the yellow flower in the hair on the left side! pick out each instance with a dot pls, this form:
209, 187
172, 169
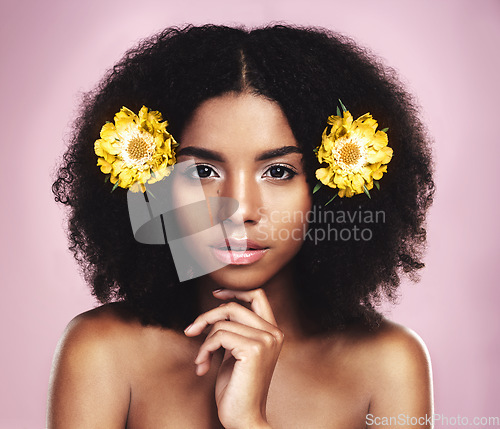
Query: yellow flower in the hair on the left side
136, 149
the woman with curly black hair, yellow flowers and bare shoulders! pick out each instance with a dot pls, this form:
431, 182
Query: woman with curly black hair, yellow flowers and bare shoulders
312, 246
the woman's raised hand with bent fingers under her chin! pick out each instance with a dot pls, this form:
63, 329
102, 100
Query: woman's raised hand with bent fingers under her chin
252, 343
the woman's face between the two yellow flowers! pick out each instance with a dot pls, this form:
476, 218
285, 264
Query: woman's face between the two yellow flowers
243, 148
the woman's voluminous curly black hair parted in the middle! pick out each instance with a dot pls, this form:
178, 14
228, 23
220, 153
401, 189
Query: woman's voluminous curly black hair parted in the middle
306, 71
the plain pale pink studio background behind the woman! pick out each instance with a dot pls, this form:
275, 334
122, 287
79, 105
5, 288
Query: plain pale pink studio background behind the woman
446, 51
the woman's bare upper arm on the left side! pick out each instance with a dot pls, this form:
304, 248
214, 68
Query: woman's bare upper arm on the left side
88, 387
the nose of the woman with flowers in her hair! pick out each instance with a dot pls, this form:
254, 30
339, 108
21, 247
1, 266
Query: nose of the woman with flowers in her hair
243, 188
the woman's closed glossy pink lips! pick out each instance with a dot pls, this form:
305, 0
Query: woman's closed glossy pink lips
238, 251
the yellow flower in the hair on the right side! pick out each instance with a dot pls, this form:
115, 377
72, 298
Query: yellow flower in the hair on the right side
355, 152
